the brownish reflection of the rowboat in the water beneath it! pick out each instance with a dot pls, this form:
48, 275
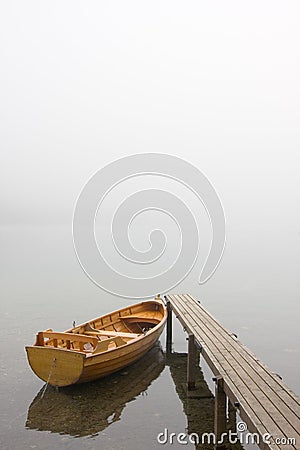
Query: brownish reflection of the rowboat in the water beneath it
87, 409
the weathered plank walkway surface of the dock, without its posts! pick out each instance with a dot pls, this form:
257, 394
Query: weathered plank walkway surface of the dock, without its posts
266, 404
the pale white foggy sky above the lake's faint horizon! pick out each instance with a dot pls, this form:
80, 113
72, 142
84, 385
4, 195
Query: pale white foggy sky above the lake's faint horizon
84, 83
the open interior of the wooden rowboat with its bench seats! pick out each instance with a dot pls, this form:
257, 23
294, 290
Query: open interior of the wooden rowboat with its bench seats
107, 332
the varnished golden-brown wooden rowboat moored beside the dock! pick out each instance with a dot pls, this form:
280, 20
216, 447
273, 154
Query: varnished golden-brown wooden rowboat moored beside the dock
99, 347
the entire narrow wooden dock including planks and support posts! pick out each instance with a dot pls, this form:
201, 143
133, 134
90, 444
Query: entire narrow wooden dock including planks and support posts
265, 404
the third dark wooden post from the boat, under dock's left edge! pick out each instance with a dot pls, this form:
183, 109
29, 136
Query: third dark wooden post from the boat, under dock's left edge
220, 410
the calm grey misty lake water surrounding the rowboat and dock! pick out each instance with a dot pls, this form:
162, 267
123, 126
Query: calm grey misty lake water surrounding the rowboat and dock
43, 286
